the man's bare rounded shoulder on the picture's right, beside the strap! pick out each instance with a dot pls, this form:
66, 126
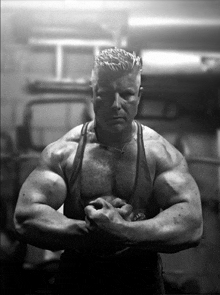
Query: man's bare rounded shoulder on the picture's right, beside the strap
162, 153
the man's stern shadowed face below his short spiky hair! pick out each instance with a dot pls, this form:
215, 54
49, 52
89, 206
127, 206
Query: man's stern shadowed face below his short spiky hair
116, 100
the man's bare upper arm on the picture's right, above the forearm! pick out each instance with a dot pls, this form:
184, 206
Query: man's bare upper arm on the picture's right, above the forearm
173, 183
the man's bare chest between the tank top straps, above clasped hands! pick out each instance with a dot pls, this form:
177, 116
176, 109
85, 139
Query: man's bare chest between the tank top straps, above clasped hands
108, 172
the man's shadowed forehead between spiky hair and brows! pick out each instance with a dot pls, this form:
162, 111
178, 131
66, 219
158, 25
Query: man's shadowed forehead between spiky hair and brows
123, 81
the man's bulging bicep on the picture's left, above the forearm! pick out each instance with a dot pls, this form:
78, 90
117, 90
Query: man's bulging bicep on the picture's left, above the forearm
43, 186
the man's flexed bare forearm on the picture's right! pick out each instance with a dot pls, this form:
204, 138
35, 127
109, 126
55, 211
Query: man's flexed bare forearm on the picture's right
170, 231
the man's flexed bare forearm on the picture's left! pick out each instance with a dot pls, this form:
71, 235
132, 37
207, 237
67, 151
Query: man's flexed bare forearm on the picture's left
46, 228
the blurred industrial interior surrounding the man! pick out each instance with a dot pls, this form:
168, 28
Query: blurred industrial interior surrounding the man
47, 51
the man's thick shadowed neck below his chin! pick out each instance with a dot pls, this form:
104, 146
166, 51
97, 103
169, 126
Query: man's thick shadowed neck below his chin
116, 139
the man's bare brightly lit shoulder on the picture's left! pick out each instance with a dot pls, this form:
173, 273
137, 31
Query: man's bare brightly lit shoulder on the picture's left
59, 152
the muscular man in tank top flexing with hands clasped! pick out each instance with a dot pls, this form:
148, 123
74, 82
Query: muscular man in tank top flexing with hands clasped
127, 193
